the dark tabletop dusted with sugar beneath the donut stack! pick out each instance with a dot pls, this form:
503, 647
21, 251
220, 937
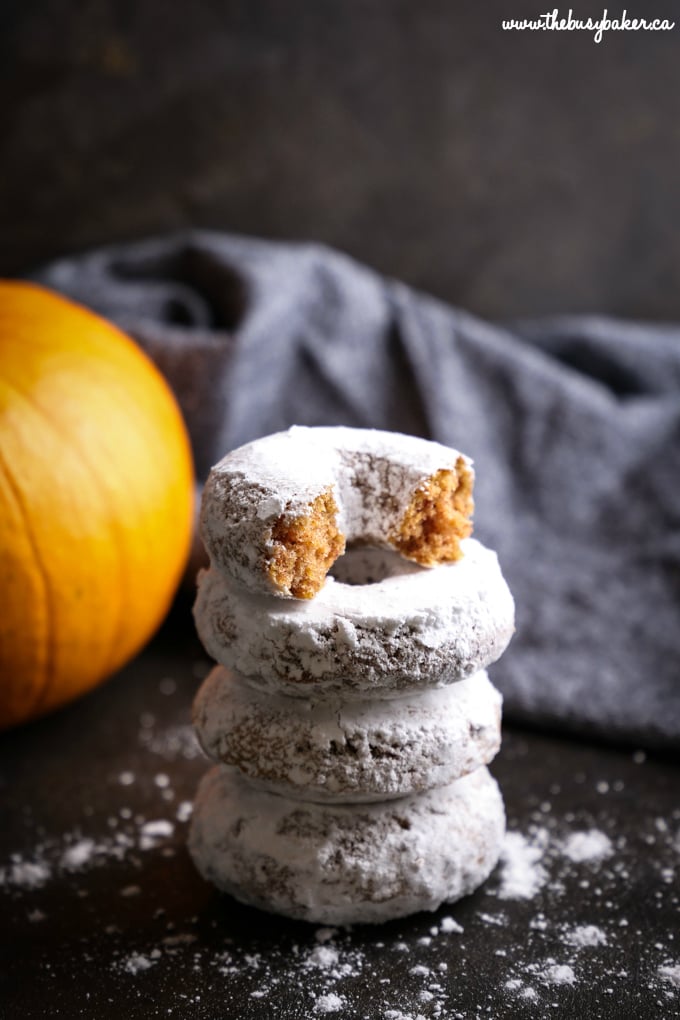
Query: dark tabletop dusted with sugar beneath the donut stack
103, 915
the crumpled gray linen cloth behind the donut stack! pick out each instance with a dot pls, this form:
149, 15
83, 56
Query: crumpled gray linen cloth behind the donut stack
573, 424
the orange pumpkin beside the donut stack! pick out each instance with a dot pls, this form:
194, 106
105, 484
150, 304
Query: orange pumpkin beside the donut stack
96, 500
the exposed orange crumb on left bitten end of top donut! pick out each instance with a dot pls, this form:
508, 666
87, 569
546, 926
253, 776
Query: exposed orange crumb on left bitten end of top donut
306, 547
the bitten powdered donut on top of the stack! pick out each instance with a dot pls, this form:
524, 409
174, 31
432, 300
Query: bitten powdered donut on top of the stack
277, 514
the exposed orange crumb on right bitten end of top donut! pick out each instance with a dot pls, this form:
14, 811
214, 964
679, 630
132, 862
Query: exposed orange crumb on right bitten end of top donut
438, 518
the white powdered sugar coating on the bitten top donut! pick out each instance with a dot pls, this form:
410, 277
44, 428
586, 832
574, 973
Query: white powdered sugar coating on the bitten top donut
373, 476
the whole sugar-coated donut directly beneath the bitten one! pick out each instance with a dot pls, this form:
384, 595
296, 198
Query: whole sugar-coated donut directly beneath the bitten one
410, 629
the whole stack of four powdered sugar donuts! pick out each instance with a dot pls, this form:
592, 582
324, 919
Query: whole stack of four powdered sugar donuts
352, 618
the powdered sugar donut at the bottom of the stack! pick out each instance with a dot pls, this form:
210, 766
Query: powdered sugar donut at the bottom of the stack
347, 864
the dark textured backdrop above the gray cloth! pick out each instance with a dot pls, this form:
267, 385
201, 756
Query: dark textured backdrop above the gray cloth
509, 174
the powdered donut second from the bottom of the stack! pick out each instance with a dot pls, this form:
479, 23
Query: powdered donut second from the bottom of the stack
349, 752
